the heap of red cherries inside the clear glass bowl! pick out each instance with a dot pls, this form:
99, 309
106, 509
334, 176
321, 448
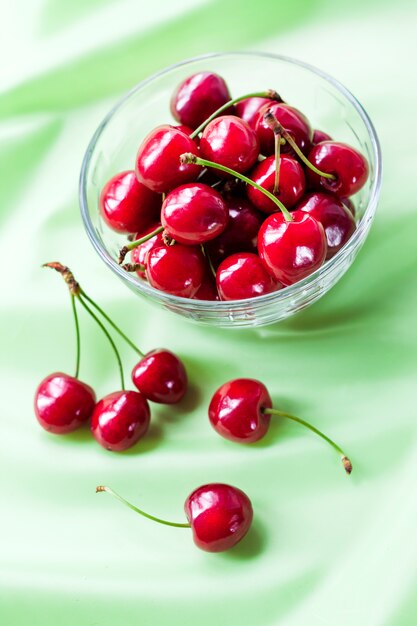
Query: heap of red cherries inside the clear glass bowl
239, 199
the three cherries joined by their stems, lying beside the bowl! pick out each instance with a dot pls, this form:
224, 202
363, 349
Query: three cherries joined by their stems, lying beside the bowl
63, 403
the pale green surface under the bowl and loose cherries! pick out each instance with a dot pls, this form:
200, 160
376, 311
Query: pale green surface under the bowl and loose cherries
325, 549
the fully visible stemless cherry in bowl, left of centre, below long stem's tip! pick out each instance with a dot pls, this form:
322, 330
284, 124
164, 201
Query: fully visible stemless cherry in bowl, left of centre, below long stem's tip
194, 213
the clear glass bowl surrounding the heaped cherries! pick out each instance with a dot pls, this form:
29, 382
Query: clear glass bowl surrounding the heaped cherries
329, 107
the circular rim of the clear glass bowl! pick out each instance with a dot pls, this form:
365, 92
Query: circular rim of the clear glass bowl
276, 296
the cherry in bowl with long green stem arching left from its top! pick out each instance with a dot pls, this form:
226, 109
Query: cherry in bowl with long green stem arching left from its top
292, 250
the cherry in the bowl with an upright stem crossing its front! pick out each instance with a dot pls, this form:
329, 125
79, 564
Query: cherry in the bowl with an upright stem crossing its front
291, 183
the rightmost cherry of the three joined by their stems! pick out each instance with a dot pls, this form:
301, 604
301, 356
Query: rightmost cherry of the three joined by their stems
160, 376
